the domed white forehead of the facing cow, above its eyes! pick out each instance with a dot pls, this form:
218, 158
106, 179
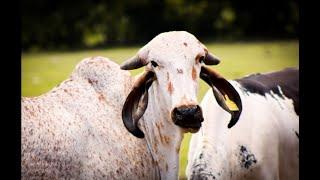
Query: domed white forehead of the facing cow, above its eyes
175, 46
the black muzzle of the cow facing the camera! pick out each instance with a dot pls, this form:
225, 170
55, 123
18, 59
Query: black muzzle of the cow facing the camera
187, 116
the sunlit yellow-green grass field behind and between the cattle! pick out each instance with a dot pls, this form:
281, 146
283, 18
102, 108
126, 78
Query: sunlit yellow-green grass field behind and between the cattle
43, 71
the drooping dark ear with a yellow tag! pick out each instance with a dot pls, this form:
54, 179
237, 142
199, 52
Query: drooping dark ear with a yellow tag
225, 94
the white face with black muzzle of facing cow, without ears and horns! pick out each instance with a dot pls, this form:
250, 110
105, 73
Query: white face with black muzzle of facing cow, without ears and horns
176, 62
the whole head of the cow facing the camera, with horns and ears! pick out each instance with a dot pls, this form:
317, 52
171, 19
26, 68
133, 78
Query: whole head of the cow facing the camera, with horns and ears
174, 62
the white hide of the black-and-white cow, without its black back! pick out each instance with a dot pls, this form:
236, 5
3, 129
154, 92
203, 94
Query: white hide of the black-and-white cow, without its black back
267, 129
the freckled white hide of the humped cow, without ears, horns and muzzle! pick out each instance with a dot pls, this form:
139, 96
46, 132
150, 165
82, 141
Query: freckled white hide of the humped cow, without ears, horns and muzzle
75, 131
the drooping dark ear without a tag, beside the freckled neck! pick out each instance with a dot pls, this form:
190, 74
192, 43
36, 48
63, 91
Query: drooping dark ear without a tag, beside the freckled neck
136, 103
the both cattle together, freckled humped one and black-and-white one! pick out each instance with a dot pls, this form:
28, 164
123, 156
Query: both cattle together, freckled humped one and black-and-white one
102, 123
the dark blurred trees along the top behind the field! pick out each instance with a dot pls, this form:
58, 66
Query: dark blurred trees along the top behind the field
57, 24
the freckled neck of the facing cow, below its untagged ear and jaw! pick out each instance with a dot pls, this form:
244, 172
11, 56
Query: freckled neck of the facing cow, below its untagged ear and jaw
162, 135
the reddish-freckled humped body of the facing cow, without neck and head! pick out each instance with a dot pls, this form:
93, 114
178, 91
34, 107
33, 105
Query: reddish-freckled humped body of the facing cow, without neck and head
70, 133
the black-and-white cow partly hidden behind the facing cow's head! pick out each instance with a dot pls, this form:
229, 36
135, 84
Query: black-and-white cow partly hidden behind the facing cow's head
264, 142
